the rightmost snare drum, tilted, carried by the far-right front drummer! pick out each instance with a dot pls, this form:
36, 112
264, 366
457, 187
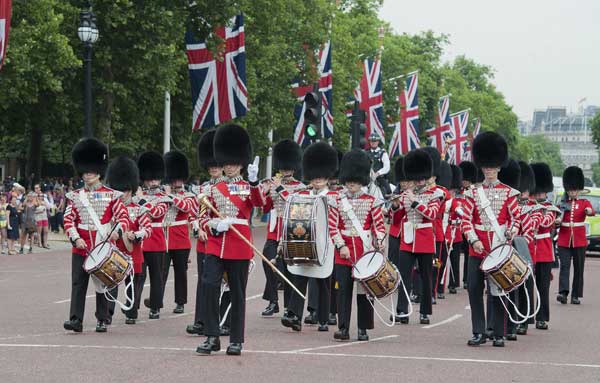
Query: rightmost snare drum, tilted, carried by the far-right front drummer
506, 267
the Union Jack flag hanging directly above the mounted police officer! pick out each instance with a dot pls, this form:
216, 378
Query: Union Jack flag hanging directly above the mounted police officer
368, 93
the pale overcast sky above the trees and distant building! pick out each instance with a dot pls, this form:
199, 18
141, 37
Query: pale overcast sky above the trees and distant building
544, 53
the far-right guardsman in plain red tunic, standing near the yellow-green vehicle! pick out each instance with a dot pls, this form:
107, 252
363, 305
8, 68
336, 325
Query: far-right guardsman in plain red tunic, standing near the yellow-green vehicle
572, 240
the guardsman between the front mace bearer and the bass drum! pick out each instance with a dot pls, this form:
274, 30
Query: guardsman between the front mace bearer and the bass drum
287, 159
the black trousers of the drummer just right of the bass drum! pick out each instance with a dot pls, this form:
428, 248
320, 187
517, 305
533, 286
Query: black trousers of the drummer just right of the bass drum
364, 309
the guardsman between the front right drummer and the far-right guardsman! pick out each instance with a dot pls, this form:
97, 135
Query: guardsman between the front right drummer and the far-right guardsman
544, 248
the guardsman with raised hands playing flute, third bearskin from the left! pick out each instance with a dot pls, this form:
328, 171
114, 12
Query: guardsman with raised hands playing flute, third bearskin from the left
152, 198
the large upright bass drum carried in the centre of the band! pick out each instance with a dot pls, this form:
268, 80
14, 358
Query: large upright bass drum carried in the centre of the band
305, 230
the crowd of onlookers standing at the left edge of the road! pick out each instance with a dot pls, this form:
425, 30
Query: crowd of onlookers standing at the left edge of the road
28, 214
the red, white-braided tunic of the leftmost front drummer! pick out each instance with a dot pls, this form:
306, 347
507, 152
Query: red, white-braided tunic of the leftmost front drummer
107, 205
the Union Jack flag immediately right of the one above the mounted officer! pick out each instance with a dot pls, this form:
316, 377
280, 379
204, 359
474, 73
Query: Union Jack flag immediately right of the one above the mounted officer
406, 131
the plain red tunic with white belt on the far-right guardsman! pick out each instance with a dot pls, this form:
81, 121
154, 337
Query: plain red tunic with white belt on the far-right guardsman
572, 229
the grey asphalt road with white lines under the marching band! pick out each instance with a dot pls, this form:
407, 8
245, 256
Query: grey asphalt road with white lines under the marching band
35, 289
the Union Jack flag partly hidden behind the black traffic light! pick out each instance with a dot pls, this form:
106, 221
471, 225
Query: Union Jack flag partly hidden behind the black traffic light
326, 89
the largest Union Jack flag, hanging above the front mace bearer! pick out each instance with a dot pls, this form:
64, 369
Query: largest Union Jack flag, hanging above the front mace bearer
219, 91
